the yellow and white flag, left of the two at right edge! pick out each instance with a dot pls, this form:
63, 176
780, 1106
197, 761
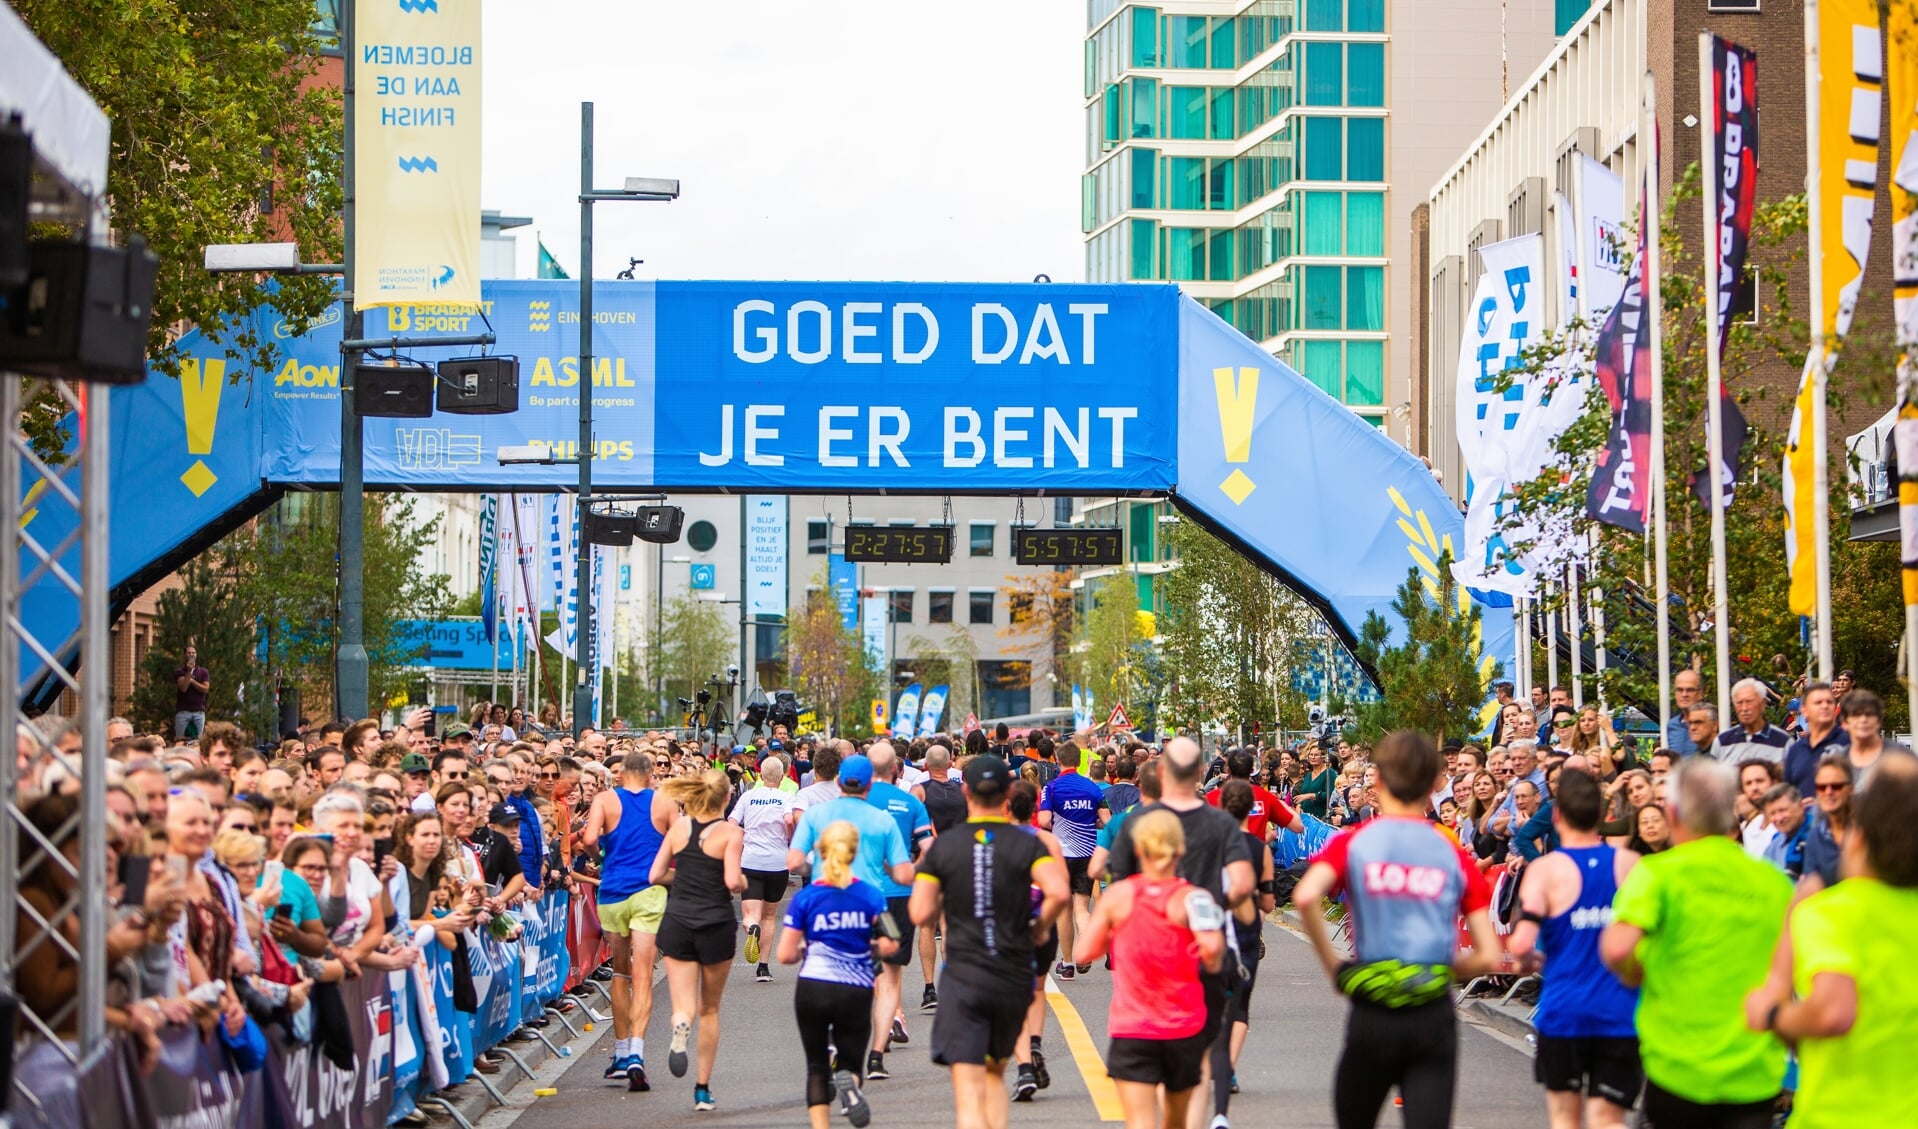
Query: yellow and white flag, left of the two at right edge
1850, 72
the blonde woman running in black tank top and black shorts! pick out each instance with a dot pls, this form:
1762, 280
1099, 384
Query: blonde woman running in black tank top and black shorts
699, 933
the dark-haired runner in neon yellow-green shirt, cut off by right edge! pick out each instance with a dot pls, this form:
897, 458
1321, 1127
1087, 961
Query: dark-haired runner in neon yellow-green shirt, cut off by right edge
1848, 961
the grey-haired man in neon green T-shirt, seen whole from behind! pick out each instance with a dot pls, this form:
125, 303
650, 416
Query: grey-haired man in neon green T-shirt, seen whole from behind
1696, 927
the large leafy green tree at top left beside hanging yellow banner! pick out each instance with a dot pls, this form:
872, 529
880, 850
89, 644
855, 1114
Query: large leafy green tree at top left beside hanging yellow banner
218, 137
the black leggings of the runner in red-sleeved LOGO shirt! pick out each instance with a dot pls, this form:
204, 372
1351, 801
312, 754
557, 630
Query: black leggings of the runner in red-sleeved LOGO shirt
1415, 1049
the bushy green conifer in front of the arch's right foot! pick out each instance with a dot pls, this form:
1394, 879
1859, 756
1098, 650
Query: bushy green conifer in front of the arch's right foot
1434, 680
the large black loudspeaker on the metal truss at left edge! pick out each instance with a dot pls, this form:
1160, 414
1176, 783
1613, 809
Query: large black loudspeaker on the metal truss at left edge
82, 313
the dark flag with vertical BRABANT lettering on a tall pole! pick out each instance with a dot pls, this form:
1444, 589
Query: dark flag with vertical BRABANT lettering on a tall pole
1735, 179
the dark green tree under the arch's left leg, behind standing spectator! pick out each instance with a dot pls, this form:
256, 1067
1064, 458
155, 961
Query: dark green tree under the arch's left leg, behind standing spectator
204, 612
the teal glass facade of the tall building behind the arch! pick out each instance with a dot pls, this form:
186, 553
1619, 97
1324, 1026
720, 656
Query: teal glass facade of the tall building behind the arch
1246, 154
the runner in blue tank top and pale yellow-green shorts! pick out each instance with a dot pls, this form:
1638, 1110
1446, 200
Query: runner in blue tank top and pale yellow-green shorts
626, 825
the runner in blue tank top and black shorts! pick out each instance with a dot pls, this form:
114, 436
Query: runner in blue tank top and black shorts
1587, 1042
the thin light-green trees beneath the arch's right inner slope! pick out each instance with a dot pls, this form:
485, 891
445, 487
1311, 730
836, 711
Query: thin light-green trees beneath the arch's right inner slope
1234, 639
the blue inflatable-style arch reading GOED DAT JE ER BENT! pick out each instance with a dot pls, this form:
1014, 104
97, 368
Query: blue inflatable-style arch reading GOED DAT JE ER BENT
807, 388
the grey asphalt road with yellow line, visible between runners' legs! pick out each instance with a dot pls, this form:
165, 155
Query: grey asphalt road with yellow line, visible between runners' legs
760, 1074
